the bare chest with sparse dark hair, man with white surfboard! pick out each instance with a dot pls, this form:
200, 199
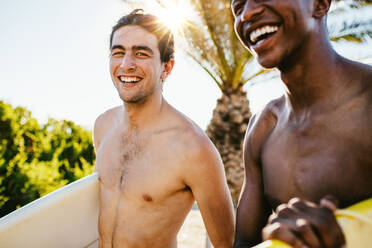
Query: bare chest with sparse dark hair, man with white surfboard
138, 169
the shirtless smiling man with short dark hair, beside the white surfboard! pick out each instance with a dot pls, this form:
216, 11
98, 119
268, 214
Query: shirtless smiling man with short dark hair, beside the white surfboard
153, 162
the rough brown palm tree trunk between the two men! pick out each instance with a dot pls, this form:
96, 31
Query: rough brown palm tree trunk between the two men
226, 130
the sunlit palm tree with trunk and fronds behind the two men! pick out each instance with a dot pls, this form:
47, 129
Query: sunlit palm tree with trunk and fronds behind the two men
208, 37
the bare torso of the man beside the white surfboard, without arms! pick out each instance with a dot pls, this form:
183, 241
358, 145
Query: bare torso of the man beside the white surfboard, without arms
143, 198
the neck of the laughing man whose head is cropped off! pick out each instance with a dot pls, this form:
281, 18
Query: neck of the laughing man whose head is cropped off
312, 76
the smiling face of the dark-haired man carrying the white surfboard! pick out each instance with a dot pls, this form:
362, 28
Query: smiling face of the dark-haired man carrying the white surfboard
135, 65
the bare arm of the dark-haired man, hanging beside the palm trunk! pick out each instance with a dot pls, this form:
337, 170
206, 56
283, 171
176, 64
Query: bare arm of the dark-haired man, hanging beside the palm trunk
206, 178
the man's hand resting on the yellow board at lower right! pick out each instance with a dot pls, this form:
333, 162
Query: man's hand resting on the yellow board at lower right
305, 224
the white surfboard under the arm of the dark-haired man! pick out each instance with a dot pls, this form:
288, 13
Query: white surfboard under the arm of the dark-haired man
67, 217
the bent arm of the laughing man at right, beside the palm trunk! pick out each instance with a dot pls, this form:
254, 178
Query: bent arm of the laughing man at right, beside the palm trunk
253, 210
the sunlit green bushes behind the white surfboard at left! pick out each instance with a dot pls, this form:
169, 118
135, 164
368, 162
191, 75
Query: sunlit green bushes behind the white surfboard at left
35, 160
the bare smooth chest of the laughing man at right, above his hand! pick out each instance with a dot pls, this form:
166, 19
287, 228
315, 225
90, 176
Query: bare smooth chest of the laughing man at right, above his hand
325, 156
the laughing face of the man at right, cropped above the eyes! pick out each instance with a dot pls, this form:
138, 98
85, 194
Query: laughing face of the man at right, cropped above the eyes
273, 29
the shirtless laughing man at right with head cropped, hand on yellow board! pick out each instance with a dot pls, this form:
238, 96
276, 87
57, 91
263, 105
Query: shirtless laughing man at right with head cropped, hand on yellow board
314, 141
